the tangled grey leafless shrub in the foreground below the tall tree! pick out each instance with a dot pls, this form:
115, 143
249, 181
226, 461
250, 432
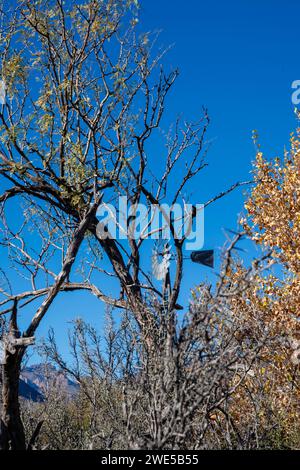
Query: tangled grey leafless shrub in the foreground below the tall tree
165, 395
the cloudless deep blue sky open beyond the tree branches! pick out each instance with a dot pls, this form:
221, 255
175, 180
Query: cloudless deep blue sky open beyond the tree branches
237, 58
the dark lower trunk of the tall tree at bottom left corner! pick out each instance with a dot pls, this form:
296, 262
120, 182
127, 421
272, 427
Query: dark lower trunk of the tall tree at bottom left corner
12, 429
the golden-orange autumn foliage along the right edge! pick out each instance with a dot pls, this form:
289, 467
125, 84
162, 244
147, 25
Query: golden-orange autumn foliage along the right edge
271, 301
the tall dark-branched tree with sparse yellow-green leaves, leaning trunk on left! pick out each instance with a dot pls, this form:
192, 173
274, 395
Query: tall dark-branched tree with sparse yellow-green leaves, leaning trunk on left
85, 96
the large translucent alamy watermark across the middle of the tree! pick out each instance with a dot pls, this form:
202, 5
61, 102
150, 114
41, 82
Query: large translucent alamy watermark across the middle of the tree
141, 221
